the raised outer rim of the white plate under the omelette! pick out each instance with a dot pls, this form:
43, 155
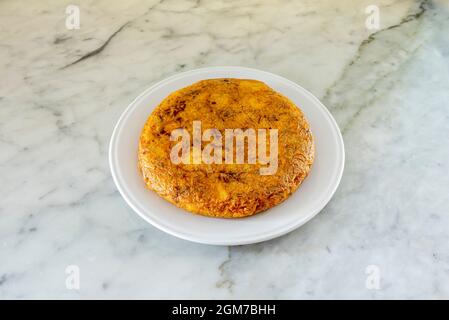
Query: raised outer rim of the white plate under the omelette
189, 237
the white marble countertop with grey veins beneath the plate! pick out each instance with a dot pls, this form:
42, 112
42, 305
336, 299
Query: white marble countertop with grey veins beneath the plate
385, 234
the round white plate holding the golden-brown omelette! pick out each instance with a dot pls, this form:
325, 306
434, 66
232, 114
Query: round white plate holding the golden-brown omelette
304, 204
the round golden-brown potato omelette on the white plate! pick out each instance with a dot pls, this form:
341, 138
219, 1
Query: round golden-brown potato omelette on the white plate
224, 188
